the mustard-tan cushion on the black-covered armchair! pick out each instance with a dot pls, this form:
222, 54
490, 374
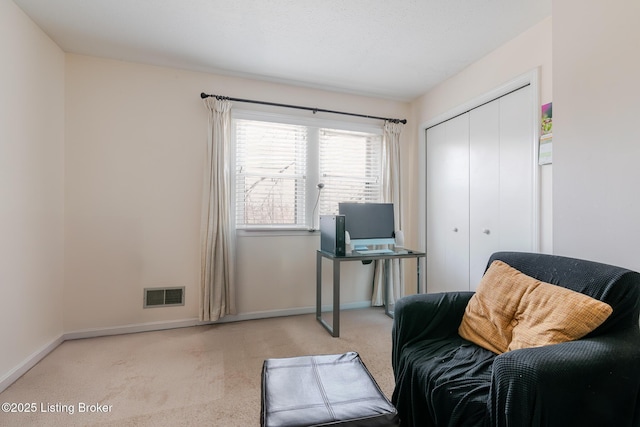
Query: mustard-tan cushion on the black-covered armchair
511, 310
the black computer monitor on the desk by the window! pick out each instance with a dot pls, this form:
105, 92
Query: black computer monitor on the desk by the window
369, 223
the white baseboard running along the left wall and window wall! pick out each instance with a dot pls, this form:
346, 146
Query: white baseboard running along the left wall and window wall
37, 356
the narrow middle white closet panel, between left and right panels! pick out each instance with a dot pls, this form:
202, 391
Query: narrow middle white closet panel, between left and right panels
484, 181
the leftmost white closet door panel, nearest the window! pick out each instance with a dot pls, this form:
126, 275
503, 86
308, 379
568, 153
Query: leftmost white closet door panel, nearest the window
448, 206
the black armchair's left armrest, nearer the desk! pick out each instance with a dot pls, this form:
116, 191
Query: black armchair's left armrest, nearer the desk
426, 316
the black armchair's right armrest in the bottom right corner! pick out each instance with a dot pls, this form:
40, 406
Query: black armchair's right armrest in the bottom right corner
575, 383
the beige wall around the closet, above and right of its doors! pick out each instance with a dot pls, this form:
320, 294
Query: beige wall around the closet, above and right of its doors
529, 51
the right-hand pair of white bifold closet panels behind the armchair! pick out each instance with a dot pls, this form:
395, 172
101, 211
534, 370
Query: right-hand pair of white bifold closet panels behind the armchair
501, 179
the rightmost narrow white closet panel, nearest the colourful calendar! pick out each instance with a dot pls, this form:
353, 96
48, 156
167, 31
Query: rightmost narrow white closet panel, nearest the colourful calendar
516, 163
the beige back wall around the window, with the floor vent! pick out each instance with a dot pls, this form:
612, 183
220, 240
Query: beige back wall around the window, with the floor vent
136, 137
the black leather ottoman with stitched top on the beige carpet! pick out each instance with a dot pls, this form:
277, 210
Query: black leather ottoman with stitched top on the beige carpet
335, 390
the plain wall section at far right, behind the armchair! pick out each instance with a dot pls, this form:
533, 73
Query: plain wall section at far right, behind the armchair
596, 132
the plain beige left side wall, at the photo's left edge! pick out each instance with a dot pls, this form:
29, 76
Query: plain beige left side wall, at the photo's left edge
31, 190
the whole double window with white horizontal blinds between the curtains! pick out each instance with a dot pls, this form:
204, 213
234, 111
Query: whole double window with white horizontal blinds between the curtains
280, 160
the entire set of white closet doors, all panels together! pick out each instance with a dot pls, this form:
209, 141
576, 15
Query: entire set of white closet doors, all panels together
480, 190
